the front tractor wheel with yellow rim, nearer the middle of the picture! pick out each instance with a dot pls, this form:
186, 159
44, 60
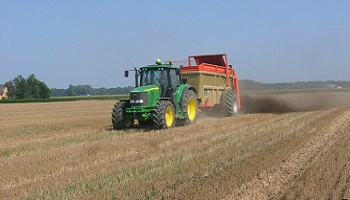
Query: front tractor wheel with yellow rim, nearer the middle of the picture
164, 115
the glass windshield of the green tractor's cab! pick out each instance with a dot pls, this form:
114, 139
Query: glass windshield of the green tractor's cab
152, 76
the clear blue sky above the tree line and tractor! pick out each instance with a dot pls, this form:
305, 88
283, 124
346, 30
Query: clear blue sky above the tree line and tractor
92, 42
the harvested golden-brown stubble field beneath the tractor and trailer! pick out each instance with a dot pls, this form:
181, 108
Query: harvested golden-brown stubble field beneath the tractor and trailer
288, 146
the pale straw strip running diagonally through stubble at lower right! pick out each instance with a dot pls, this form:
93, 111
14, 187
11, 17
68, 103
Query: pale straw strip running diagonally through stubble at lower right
275, 183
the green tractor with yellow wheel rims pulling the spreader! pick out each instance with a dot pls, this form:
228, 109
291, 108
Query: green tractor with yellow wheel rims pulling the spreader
161, 99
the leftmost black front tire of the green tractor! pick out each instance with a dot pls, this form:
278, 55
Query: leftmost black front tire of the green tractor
119, 120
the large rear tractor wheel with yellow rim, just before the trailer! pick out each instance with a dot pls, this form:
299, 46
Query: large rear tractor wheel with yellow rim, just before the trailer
189, 106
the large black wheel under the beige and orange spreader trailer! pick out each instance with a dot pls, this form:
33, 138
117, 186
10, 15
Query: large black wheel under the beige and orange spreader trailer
229, 103
